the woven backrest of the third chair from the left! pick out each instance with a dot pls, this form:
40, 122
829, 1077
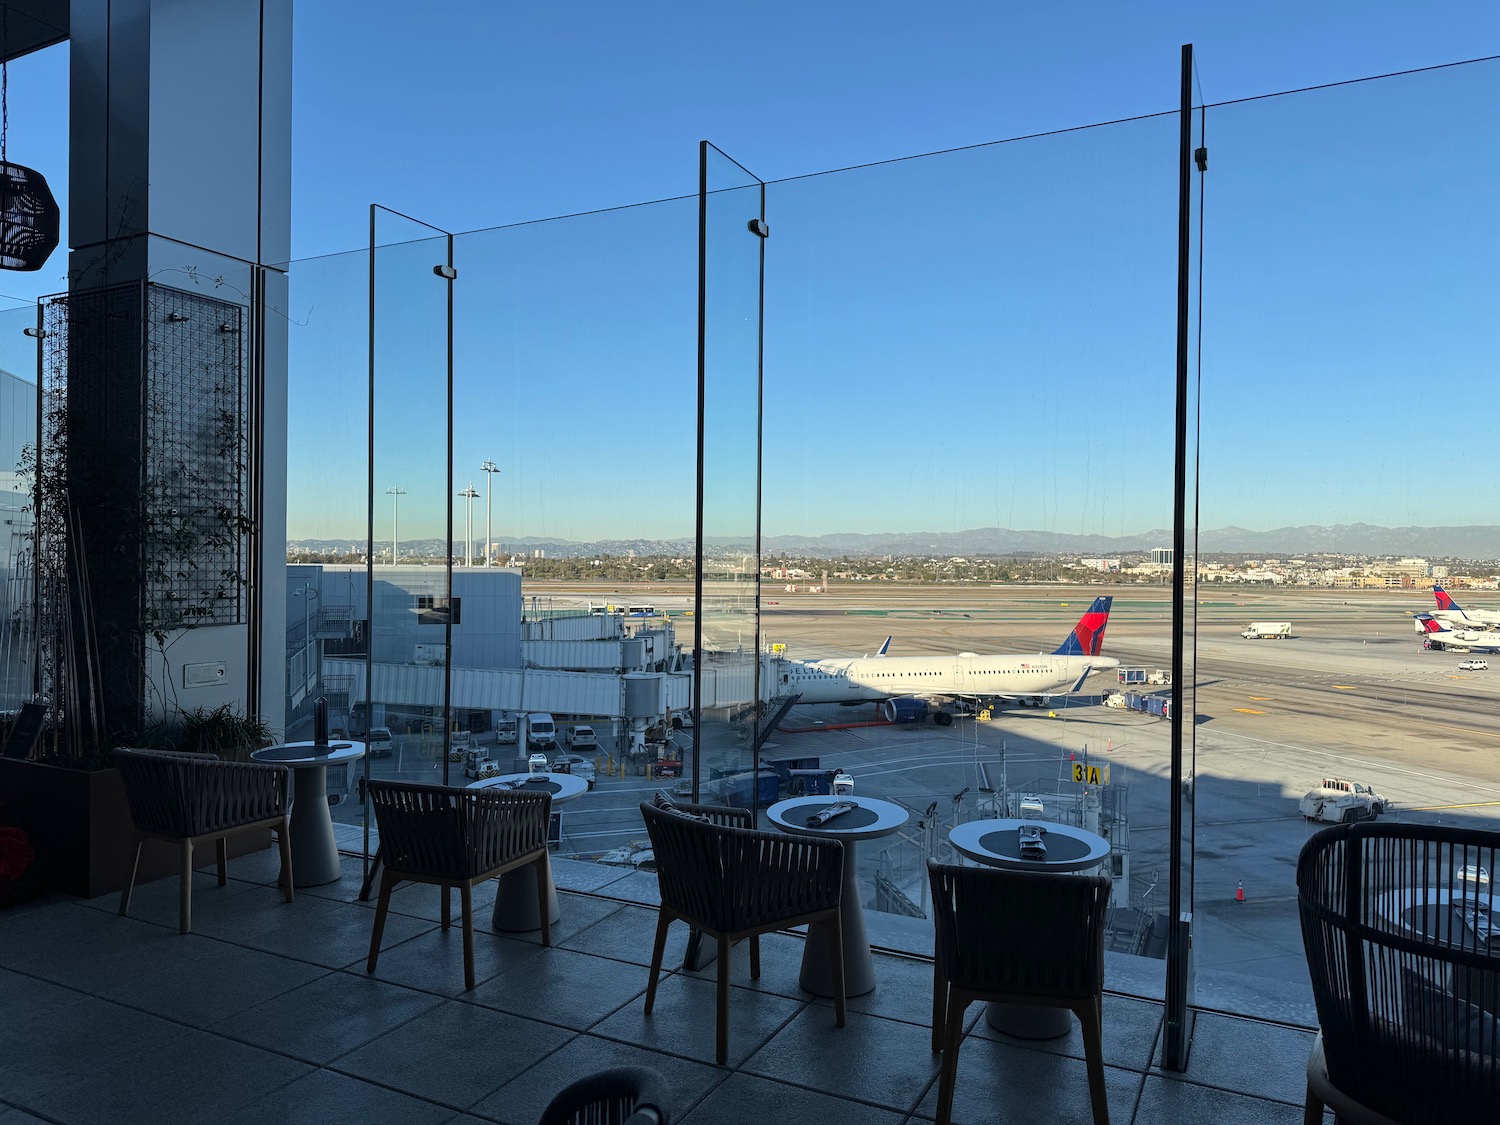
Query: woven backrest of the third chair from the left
739, 878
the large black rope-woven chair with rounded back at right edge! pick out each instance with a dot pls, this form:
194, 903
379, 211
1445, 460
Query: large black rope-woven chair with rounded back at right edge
1405, 959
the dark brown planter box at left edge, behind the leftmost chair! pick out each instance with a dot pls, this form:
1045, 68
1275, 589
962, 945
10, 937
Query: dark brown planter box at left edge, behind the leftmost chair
82, 833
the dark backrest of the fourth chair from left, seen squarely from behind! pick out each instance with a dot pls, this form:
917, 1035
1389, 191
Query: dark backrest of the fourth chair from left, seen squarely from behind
1021, 932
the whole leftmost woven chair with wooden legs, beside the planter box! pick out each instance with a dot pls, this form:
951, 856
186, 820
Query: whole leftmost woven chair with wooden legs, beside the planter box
188, 800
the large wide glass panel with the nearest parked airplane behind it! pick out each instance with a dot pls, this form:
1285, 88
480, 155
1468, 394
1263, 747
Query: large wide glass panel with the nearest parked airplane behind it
970, 439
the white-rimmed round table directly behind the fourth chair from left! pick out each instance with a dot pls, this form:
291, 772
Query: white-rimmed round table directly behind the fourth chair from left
997, 844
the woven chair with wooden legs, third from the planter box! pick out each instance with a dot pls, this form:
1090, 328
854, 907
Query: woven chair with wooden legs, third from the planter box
739, 883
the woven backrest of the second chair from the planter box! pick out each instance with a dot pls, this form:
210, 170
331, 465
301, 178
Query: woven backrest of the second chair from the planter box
457, 833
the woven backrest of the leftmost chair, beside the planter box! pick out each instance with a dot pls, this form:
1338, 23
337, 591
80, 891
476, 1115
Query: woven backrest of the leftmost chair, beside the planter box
182, 794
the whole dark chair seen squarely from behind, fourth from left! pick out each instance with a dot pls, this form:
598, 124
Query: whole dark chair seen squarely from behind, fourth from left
1033, 938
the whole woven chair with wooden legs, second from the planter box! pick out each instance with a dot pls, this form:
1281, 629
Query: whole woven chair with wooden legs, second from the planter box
458, 838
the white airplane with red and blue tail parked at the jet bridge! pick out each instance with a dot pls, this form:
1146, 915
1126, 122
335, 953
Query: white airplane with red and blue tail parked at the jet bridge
908, 685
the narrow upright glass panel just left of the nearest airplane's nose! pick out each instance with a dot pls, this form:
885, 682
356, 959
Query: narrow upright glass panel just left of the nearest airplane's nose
733, 226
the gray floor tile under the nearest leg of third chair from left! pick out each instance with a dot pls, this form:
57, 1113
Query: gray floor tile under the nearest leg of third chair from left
683, 1022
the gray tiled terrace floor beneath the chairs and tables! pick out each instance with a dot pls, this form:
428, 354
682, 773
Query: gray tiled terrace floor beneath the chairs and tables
265, 1015
